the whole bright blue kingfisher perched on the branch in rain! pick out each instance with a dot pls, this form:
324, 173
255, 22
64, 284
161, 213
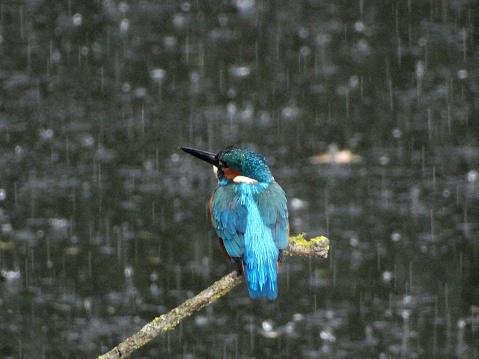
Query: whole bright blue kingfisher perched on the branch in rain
249, 212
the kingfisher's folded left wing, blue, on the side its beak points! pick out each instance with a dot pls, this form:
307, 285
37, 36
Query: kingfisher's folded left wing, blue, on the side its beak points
229, 220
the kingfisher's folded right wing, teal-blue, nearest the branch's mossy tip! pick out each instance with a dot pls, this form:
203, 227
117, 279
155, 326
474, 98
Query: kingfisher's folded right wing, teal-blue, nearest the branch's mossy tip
273, 208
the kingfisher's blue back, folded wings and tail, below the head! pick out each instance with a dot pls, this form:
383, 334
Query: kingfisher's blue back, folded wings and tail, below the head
252, 220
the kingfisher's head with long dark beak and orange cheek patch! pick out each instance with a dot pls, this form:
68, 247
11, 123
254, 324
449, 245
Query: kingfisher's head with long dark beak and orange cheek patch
235, 164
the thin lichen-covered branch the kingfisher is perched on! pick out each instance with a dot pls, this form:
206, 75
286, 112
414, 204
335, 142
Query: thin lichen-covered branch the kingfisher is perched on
298, 246
